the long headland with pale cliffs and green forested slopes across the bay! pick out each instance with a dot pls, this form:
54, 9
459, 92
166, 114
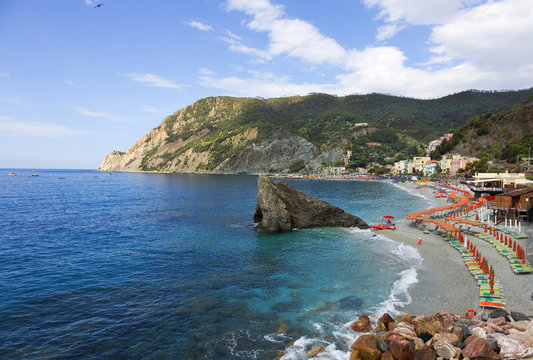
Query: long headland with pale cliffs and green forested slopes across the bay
227, 134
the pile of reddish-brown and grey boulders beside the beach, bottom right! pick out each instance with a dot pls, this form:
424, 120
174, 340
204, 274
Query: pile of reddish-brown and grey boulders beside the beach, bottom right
403, 343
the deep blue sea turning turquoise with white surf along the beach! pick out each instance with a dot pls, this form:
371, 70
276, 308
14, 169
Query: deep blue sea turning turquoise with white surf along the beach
97, 265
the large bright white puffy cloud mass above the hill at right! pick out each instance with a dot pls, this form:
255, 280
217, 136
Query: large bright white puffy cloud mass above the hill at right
474, 44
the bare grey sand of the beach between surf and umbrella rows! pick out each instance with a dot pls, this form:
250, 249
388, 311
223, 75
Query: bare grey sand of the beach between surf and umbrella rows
444, 283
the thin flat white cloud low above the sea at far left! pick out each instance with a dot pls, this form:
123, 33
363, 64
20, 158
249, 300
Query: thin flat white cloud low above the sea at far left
11, 126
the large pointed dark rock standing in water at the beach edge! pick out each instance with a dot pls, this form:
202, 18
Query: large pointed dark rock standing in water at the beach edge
281, 207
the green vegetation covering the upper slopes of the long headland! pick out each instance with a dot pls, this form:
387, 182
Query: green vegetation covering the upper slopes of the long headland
322, 119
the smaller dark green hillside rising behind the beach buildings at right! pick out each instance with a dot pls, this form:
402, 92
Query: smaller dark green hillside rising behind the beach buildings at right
504, 137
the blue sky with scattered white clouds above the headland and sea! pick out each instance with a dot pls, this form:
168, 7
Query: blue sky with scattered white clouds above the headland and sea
78, 81
